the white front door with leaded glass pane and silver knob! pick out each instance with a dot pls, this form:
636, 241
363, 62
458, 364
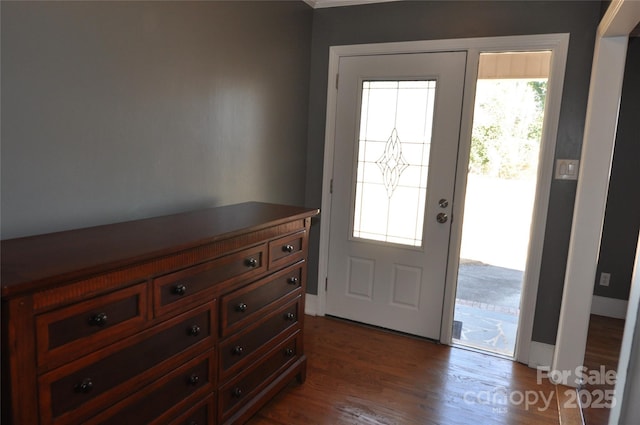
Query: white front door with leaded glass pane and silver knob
397, 132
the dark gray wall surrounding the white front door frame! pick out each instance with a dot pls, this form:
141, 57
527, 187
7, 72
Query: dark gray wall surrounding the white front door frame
404, 21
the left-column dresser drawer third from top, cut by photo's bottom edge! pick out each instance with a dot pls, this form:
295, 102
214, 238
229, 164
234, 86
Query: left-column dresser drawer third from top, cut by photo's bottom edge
168, 396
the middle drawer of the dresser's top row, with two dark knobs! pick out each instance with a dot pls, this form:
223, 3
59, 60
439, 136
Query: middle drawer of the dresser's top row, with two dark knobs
191, 285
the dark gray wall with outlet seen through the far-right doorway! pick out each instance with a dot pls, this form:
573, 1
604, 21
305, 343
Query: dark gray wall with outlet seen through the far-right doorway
622, 216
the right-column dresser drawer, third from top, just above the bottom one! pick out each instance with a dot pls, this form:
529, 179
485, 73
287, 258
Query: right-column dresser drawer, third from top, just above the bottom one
240, 349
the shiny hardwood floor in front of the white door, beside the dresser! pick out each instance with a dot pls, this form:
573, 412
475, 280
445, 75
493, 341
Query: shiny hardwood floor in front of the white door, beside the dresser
360, 375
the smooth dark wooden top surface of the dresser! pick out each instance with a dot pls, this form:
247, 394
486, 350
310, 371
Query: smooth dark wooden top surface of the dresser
30, 261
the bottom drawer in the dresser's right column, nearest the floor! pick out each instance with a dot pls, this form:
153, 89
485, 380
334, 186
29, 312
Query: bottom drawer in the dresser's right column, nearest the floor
251, 382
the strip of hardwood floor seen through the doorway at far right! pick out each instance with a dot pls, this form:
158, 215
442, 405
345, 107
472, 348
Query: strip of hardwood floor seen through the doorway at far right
603, 350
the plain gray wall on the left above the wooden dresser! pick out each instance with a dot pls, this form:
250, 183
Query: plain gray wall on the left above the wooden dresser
120, 110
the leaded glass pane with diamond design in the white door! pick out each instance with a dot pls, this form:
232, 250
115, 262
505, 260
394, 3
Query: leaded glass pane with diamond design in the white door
394, 144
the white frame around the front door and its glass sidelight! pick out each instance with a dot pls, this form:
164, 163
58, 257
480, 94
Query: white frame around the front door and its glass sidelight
558, 43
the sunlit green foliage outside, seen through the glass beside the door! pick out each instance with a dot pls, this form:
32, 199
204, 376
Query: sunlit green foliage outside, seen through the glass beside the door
507, 128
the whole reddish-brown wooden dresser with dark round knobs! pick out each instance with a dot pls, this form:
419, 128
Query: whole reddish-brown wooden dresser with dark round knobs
193, 318
